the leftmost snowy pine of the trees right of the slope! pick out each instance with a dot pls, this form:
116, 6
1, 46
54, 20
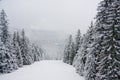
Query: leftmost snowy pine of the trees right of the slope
68, 52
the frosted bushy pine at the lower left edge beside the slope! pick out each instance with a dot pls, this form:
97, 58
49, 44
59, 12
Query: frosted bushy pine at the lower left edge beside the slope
7, 59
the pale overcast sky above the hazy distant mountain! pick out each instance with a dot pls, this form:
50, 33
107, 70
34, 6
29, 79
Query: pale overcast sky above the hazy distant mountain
62, 15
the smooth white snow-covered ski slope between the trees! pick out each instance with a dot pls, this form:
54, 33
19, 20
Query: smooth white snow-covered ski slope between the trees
44, 70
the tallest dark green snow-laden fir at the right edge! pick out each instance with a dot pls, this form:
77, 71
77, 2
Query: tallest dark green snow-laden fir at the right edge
107, 41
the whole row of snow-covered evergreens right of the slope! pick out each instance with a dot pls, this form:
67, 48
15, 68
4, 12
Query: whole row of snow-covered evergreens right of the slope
98, 54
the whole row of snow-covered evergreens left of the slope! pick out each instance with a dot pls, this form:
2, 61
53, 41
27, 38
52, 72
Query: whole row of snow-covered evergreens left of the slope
16, 50
